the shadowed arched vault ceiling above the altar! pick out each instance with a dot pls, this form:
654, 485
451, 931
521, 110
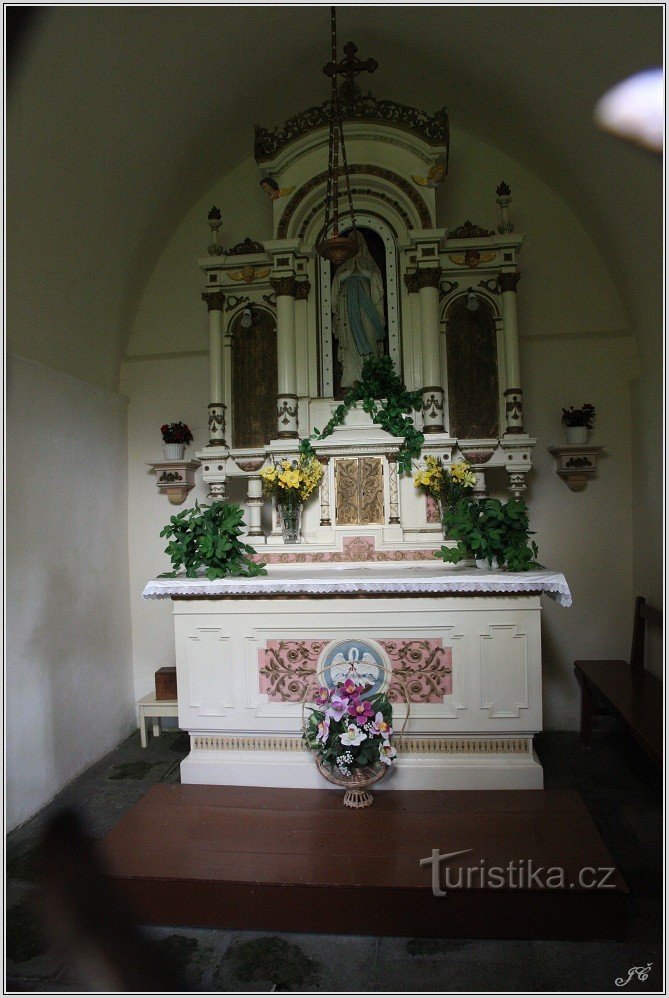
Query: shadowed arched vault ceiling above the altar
120, 118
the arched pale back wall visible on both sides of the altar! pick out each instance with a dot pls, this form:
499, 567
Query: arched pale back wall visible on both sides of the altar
576, 347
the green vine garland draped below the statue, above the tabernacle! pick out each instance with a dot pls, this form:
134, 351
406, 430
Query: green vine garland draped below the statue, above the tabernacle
387, 400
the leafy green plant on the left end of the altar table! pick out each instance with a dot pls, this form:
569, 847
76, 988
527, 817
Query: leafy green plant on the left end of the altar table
208, 537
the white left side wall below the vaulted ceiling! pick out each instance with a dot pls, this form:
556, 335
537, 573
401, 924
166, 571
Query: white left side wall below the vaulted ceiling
68, 690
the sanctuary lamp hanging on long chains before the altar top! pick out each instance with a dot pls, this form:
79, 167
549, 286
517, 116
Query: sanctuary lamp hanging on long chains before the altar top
336, 247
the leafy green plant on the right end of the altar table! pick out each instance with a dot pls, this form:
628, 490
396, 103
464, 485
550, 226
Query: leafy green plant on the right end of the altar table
489, 529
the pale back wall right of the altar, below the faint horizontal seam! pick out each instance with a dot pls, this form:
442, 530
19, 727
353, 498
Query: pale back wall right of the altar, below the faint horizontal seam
587, 535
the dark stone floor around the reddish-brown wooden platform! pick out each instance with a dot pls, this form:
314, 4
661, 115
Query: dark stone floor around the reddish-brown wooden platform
621, 789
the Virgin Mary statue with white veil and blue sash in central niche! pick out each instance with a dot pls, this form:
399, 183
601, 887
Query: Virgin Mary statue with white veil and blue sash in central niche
358, 312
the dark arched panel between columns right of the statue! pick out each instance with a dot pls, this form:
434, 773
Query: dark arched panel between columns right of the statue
473, 381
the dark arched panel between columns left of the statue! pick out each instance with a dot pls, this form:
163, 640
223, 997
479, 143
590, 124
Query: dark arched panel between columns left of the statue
254, 376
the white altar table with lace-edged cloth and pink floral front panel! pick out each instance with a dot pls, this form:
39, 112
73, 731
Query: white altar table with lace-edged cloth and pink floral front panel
466, 644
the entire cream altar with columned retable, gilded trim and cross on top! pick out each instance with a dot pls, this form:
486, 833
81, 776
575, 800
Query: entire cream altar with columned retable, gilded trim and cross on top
379, 343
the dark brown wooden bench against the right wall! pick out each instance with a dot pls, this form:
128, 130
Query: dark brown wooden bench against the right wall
625, 689
